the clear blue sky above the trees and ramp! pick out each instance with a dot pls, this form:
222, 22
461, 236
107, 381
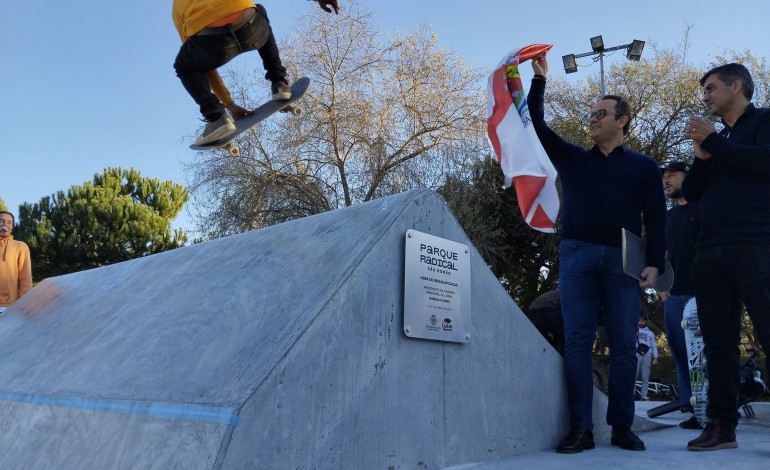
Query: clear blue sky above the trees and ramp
88, 84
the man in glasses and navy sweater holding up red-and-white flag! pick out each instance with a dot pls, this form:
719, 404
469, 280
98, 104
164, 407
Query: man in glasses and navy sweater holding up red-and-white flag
604, 189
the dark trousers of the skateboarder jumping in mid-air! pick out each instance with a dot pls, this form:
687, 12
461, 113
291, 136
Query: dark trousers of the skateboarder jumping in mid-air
204, 53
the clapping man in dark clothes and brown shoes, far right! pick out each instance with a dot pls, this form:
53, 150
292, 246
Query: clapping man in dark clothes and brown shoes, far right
730, 177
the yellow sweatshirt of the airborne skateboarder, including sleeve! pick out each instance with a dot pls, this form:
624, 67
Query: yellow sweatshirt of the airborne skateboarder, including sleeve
190, 16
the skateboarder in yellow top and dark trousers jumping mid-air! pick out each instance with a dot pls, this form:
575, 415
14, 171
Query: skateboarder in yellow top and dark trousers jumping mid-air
213, 32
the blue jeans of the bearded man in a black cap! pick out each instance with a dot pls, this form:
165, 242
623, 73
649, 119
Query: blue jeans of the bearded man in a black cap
673, 308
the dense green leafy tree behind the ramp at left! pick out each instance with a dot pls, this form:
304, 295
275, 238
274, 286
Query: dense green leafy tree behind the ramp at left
118, 216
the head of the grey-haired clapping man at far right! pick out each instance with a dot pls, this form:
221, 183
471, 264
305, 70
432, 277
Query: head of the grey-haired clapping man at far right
727, 88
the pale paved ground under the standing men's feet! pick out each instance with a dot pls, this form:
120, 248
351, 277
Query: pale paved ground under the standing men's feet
666, 449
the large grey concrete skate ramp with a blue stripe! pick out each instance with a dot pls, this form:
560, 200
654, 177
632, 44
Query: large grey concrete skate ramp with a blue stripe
278, 348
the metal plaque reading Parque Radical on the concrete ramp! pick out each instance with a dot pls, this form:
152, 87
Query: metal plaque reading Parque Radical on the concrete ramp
437, 288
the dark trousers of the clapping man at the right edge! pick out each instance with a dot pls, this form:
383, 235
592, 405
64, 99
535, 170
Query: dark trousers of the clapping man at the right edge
724, 276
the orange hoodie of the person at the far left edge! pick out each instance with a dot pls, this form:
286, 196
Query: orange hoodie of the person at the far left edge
15, 270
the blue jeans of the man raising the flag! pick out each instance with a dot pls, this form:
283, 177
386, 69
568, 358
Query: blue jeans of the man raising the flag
589, 276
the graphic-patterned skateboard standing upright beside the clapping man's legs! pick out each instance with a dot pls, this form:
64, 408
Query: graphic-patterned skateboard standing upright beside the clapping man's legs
696, 360
